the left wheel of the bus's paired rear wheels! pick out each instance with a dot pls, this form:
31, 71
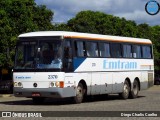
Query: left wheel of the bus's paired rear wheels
126, 90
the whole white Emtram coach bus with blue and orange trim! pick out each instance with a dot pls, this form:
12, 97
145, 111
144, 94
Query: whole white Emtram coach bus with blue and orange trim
59, 64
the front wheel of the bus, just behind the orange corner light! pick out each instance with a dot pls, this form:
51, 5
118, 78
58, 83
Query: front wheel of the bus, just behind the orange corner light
79, 94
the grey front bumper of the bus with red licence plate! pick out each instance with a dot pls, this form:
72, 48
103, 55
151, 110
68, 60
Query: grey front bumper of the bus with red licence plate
44, 92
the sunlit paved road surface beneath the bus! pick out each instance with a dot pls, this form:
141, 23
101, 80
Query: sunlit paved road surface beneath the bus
148, 100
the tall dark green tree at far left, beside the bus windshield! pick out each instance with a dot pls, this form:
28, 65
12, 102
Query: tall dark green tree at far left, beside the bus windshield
19, 16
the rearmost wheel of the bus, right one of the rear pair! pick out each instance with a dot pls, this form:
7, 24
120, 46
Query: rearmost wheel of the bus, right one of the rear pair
134, 93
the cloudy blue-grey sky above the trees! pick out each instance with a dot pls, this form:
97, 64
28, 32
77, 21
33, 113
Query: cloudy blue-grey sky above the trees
134, 10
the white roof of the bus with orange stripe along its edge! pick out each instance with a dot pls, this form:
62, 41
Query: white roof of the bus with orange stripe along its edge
86, 36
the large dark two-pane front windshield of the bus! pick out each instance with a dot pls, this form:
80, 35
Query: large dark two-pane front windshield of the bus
42, 54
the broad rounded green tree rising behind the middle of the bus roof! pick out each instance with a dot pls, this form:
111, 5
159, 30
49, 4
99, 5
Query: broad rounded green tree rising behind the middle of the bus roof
101, 23
